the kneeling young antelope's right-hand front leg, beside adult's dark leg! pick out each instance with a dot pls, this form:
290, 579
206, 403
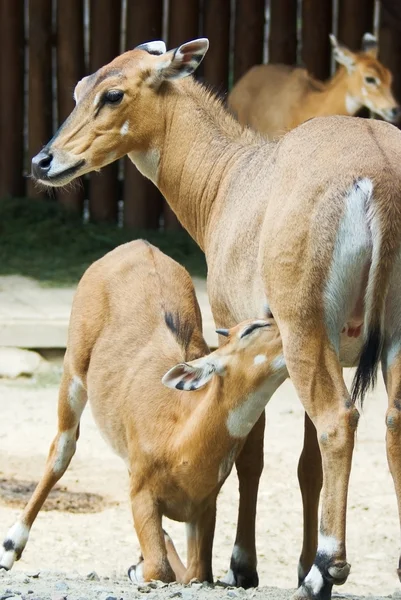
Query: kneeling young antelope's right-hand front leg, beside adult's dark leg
200, 536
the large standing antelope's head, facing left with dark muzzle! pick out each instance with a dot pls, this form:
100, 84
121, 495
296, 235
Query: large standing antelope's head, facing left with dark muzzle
117, 112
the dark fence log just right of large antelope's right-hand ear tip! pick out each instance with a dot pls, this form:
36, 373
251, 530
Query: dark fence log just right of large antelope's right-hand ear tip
216, 19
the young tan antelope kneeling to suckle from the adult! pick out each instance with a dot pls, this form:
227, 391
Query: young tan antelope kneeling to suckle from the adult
134, 316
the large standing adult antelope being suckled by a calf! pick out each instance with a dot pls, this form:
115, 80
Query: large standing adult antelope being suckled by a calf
309, 226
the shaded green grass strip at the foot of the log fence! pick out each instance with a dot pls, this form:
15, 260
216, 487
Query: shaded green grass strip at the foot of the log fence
42, 240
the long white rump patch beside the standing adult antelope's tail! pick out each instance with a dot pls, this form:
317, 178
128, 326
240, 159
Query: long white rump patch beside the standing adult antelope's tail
352, 251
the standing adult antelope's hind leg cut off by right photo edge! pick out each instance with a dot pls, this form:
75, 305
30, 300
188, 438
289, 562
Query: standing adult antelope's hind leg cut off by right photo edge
392, 375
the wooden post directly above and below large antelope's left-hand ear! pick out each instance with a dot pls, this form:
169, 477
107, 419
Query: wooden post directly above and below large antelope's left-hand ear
142, 200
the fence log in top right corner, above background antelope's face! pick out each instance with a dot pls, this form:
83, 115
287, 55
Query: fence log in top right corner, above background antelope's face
390, 42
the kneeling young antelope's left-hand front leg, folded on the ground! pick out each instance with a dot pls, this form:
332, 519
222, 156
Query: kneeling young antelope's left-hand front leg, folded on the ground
153, 563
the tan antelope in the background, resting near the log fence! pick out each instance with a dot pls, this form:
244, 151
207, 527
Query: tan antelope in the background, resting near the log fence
274, 99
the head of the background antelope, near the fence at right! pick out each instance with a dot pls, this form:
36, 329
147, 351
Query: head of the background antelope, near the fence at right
369, 82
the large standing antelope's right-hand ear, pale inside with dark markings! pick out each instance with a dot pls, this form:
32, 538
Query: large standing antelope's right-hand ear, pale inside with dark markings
182, 61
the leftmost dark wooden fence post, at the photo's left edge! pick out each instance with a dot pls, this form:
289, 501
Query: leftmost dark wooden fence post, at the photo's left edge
12, 182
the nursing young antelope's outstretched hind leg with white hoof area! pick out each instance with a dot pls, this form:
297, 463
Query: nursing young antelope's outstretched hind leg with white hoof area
72, 400
